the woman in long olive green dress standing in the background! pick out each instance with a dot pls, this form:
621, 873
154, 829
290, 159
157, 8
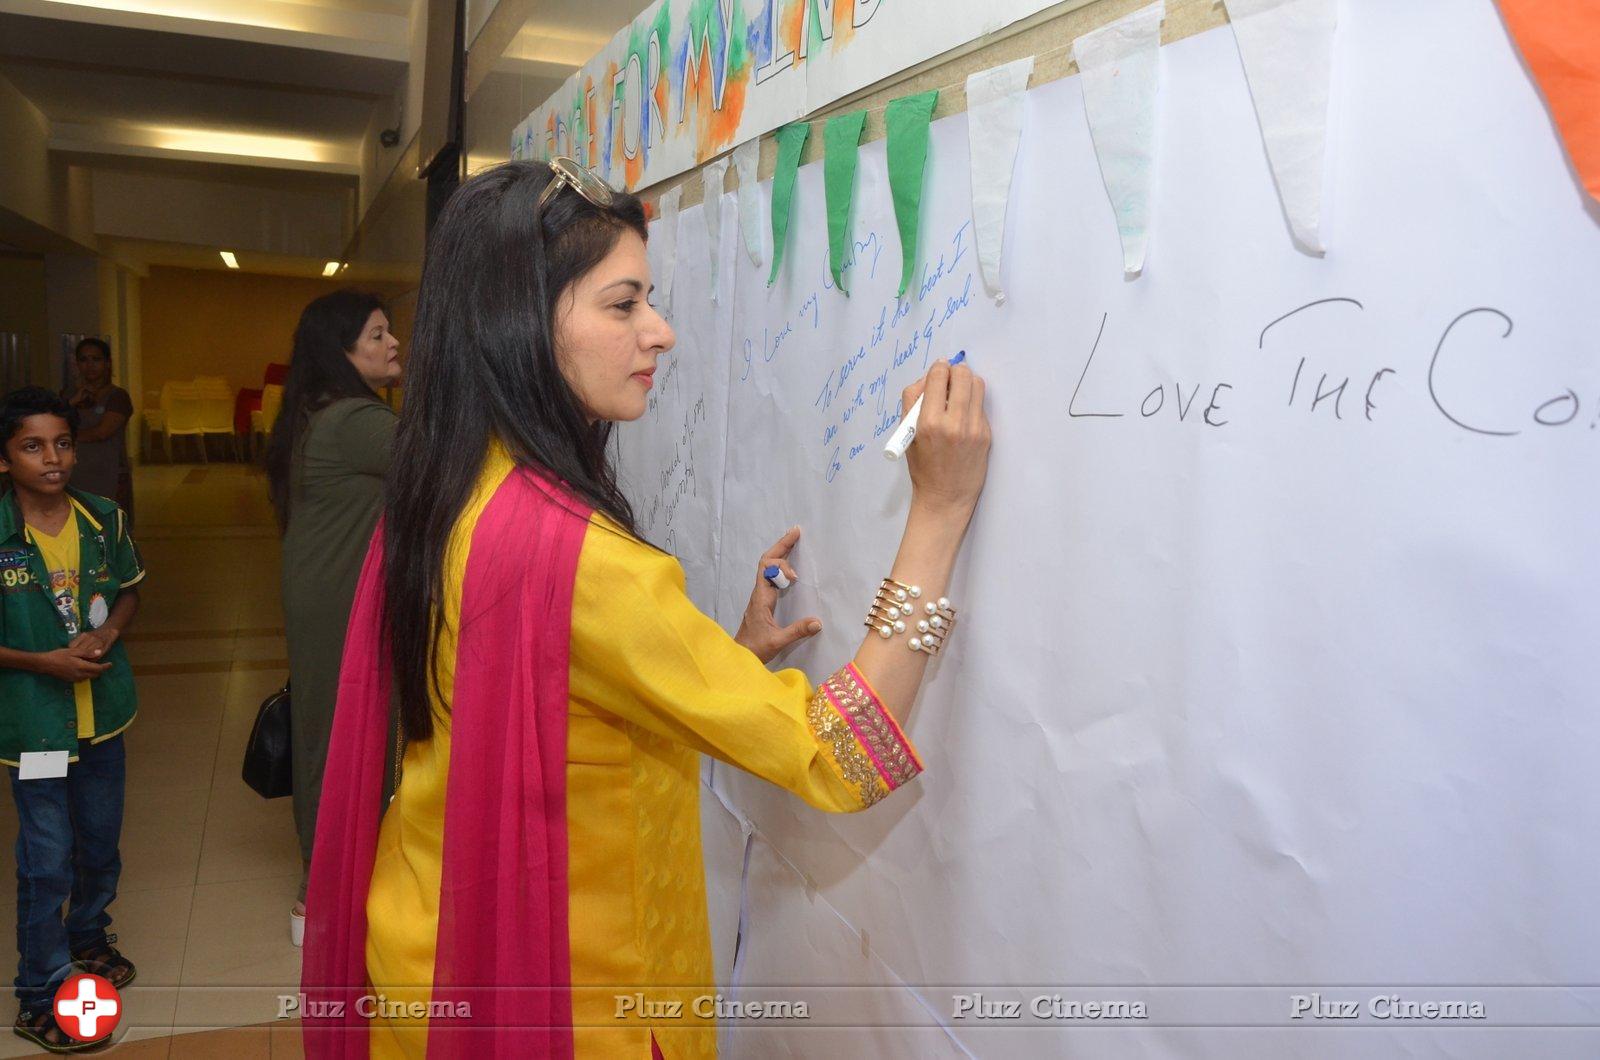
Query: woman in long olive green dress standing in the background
326, 470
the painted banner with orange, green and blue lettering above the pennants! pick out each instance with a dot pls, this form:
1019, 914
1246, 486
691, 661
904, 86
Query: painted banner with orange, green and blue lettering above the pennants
692, 79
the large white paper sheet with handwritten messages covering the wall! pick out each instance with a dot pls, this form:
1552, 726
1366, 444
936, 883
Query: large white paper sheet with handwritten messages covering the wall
1313, 701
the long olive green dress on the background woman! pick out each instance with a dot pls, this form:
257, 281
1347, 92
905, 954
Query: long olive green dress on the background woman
337, 486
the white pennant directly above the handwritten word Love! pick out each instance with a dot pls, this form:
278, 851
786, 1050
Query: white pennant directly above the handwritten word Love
1119, 65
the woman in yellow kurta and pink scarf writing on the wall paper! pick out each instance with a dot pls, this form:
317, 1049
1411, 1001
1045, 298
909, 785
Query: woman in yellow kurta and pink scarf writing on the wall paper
542, 856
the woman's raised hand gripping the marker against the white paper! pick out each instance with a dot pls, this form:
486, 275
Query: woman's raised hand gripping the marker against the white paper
950, 457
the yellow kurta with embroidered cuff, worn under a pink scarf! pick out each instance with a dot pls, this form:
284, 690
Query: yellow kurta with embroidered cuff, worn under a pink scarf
654, 683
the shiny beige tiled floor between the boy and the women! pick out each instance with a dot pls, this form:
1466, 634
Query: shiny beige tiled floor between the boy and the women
210, 869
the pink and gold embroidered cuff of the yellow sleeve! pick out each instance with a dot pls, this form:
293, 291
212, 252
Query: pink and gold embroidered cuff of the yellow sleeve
862, 739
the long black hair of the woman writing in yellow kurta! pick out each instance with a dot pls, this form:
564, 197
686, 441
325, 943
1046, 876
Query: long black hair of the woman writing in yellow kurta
484, 366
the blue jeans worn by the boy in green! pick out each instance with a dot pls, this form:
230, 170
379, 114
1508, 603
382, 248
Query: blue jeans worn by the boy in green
66, 848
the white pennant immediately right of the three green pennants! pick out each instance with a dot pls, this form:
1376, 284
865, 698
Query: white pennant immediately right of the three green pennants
994, 129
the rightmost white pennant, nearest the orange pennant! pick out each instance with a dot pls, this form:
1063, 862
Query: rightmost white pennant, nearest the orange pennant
1287, 47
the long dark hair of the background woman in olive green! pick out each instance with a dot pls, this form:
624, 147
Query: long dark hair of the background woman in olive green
321, 374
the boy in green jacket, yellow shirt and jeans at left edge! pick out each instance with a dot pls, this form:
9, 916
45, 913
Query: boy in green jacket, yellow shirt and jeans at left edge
68, 576
